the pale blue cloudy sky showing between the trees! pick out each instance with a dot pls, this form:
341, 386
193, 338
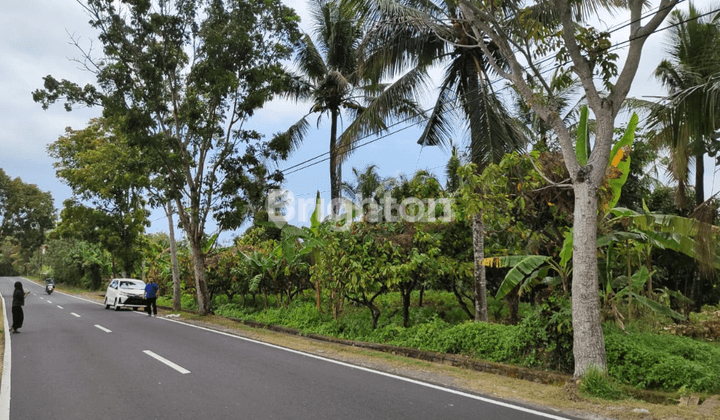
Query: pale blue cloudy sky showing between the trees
35, 40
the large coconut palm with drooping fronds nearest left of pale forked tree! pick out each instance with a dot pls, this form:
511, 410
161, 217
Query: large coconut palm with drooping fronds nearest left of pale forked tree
413, 37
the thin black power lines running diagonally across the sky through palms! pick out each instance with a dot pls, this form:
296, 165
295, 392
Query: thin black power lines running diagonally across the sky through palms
292, 169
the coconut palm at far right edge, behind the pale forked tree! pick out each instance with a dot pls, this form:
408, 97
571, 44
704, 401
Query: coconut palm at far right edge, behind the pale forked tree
687, 120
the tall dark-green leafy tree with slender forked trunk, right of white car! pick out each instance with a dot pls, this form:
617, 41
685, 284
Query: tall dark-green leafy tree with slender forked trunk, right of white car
181, 79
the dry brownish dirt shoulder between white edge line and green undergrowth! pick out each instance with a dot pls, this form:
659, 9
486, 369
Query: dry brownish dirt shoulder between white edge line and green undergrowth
553, 398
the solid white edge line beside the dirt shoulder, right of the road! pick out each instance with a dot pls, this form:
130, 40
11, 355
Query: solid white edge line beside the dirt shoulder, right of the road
337, 362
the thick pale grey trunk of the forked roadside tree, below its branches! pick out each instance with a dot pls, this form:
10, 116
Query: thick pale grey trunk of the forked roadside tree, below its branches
588, 342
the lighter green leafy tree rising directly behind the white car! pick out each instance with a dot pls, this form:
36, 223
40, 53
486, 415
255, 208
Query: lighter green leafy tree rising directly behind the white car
104, 170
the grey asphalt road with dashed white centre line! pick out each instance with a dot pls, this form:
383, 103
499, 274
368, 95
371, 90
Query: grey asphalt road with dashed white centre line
75, 360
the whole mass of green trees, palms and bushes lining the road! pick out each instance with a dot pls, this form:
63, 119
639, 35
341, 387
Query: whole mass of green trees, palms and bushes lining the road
549, 243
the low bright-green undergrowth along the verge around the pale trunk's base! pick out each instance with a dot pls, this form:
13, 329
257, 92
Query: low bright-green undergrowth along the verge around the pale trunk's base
542, 340
